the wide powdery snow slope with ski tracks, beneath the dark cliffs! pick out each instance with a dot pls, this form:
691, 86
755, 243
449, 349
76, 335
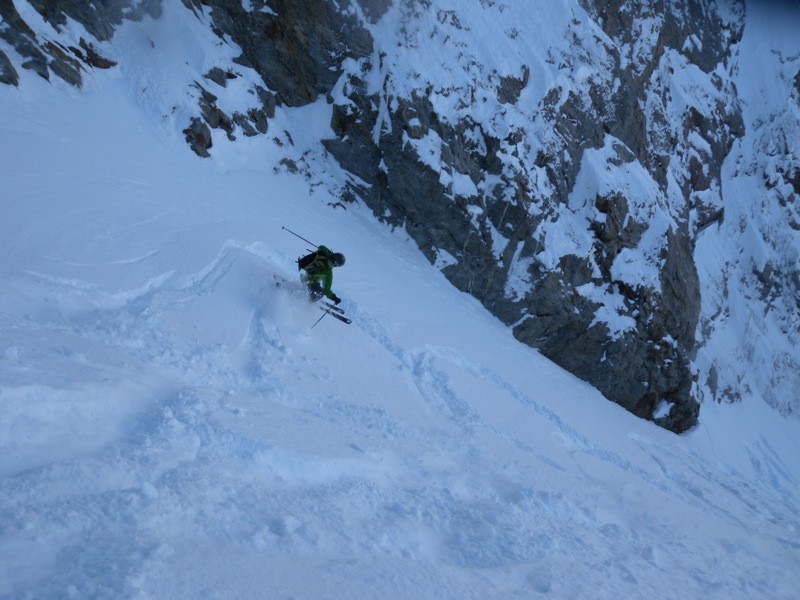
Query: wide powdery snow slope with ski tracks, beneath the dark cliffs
171, 427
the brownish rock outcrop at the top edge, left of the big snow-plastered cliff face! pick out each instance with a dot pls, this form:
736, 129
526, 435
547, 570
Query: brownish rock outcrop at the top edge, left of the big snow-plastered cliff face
295, 47
